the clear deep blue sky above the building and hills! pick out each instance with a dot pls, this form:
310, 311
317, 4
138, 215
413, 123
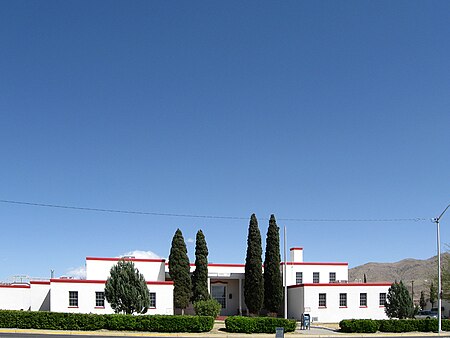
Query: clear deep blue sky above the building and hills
304, 109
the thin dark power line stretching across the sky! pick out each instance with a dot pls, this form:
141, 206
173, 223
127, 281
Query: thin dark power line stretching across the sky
164, 214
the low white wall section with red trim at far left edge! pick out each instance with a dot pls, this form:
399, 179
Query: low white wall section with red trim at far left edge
14, 297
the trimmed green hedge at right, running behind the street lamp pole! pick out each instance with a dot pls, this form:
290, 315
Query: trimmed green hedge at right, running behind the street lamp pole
392, 325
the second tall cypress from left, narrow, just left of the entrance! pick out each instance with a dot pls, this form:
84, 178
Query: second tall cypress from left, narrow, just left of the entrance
200, 275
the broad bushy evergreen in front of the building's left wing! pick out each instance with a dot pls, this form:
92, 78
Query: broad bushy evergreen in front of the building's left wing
126, 289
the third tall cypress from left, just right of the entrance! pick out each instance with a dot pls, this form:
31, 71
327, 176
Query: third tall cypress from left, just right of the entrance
254, 284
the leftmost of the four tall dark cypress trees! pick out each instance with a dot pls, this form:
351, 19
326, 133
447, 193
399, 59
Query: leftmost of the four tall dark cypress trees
179, 271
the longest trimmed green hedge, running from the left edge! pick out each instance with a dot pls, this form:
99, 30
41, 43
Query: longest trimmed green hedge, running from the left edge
92, 322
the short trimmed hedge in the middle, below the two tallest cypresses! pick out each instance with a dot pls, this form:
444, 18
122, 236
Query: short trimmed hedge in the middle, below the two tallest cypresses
239, 324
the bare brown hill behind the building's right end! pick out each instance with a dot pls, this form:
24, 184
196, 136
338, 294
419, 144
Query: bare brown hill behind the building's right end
421, 272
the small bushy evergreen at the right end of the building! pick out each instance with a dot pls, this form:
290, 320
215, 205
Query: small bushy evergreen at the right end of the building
398, 302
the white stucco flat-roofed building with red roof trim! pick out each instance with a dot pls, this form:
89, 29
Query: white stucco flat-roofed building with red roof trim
319, 289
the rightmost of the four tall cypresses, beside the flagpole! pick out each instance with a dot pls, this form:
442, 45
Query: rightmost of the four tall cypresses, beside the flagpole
273, 286
